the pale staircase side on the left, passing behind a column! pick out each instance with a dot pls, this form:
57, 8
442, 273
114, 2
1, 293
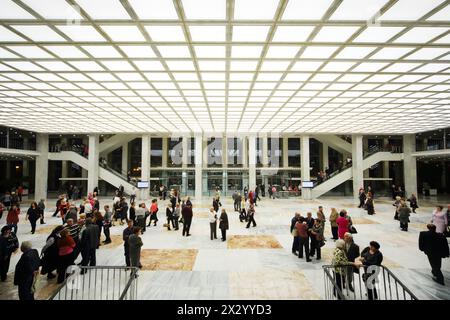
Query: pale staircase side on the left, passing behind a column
105, 173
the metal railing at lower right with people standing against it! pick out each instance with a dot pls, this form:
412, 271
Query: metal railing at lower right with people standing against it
389, 287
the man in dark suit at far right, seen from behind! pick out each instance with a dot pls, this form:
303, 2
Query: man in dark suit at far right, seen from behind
435, 246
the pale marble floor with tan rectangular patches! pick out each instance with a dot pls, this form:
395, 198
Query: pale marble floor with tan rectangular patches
254, 263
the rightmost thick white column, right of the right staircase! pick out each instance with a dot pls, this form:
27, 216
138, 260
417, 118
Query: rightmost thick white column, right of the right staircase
409, 164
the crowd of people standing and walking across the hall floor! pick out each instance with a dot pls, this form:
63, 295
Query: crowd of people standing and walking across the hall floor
81, 228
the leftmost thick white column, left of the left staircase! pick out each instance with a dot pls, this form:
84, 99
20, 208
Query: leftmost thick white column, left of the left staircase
41, 178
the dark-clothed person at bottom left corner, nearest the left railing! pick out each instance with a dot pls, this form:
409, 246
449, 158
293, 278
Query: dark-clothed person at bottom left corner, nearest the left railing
26, 270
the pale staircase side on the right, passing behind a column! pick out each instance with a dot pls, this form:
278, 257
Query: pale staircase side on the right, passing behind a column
338, 178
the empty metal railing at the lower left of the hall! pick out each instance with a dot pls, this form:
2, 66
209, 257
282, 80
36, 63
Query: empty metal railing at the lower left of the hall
99, 283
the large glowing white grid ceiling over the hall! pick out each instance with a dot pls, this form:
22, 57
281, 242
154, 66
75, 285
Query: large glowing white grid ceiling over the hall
297, 66
